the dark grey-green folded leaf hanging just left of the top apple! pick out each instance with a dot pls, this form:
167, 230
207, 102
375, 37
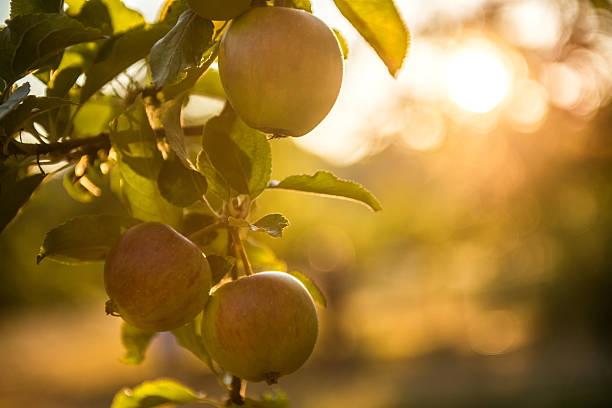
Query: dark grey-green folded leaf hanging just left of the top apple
182, 47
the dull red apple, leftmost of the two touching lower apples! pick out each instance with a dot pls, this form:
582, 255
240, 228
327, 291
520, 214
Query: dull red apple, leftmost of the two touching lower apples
156, 279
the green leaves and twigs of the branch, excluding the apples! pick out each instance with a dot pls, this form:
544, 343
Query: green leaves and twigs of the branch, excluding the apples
112, 114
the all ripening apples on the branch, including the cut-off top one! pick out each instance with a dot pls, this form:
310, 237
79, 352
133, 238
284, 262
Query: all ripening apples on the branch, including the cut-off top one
281, 70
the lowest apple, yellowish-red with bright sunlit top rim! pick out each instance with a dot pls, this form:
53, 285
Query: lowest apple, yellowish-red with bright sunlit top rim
260, 327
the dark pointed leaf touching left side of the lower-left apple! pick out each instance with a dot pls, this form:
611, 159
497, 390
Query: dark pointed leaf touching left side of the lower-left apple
87, 238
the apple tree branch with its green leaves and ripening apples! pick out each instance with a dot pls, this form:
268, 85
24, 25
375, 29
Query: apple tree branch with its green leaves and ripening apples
184, 257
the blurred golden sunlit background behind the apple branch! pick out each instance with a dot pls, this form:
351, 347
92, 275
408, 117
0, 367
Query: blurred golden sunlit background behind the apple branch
485, 281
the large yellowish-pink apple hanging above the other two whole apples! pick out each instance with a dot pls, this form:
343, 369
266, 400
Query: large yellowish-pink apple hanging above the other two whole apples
281, 69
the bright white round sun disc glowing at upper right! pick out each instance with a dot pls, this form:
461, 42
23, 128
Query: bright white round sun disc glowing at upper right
477, 78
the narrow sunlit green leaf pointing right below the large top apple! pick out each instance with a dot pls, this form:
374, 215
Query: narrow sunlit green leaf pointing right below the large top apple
324, 182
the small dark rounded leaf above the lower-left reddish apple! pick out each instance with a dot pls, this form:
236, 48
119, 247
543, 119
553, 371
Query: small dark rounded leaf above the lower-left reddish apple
180, 185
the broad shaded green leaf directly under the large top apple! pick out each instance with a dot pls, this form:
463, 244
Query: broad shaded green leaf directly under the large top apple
241, 155
